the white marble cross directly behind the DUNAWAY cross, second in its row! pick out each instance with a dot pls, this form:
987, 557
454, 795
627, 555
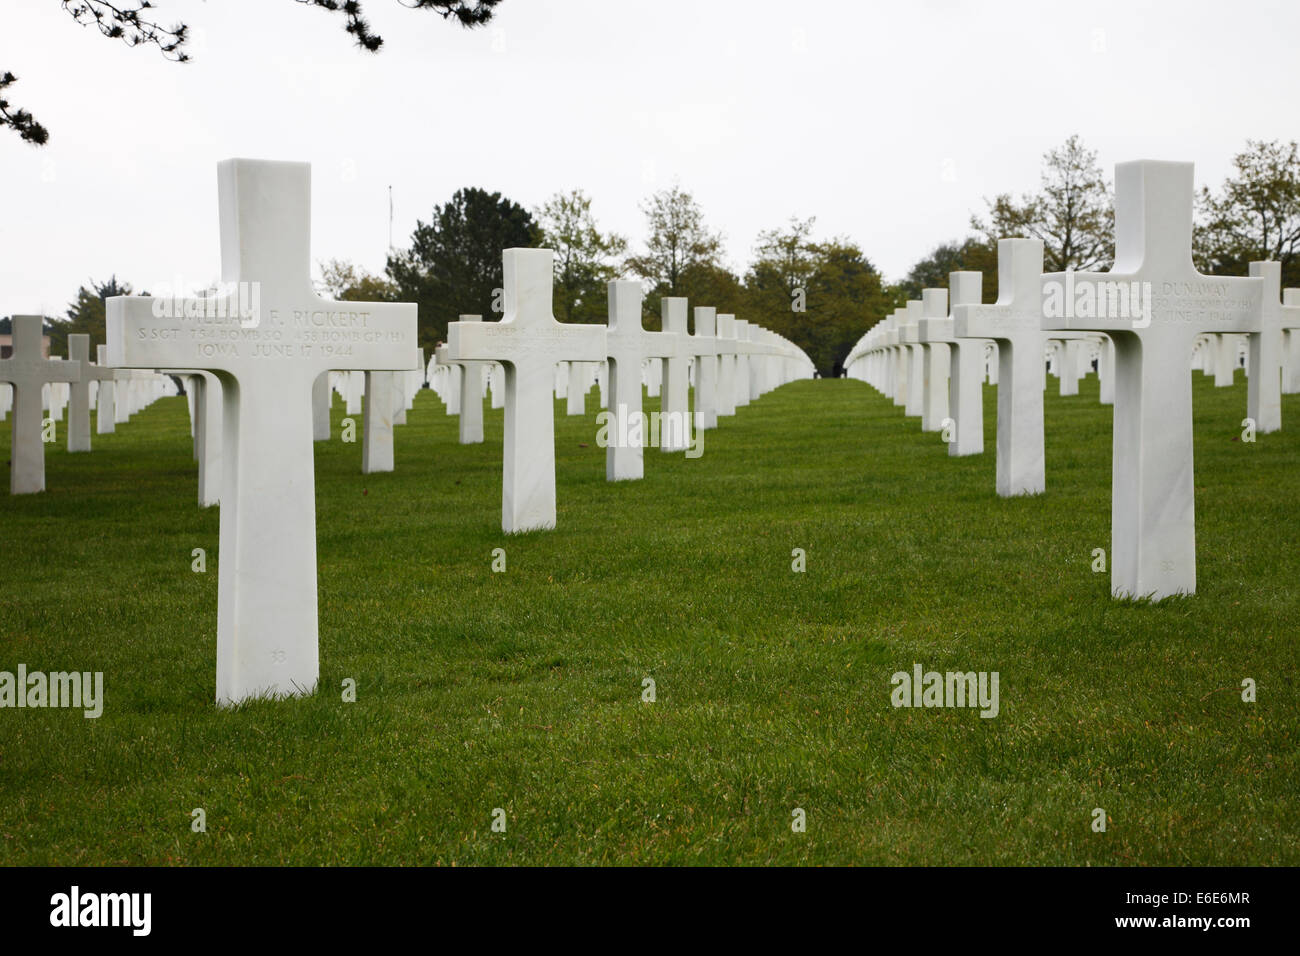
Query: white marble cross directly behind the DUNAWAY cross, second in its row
1015, 323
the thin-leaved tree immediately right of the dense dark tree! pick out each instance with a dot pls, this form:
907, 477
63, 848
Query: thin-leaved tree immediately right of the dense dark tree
586, 258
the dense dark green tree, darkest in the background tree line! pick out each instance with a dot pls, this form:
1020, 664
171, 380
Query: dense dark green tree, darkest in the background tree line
453, 266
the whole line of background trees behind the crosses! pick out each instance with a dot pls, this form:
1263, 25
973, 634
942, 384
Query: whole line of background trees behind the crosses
821, 293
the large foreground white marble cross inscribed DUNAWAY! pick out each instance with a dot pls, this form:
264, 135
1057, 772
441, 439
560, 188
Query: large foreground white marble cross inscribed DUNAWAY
1152, 511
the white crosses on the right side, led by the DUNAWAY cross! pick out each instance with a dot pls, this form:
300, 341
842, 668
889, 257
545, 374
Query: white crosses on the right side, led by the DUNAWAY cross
1145, 366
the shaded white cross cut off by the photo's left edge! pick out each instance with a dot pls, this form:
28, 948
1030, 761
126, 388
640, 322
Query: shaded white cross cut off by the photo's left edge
28, 371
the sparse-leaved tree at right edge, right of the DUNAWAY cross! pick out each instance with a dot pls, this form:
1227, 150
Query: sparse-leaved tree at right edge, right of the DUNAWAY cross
1255, 215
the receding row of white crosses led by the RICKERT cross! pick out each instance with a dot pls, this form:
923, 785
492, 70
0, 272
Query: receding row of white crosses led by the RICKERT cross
271, 370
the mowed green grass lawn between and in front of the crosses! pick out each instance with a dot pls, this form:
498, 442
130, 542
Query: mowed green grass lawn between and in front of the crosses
523, 690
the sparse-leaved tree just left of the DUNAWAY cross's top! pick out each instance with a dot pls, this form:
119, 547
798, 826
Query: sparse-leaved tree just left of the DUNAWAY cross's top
1073, 213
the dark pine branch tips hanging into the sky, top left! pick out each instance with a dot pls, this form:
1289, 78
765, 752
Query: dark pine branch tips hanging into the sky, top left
135, 25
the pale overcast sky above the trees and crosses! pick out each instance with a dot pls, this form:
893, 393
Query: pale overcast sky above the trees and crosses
889, 123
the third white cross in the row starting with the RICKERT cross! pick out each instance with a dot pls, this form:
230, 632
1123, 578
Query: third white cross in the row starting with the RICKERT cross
627, 345
